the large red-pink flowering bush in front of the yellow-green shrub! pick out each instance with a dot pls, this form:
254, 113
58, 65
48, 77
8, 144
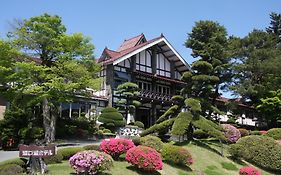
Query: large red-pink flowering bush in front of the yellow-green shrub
145, 158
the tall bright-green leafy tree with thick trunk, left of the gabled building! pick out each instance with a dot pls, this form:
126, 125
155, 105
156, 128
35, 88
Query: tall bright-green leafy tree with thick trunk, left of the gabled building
59, 72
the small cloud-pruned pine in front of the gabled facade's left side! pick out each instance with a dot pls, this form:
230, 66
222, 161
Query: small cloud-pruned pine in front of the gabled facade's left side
128, 98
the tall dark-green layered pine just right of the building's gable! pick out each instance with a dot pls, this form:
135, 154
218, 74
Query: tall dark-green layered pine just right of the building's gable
211, 71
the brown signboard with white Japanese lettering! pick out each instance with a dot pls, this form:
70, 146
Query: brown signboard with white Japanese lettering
36, 151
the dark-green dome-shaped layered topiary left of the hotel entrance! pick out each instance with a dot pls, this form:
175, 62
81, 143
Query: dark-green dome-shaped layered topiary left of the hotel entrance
111, 118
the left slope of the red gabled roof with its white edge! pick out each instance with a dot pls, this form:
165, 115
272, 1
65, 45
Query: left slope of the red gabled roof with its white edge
114, 55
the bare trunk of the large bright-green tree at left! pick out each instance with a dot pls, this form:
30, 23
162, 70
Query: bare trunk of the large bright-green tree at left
49, 121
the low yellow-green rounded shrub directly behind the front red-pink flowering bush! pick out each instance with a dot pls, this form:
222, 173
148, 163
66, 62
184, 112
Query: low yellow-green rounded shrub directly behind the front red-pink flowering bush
152, 141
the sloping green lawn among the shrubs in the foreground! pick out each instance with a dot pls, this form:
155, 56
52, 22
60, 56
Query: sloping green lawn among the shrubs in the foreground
206, 160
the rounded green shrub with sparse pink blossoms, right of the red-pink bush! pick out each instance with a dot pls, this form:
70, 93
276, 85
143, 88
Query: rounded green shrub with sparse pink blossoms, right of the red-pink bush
176, 155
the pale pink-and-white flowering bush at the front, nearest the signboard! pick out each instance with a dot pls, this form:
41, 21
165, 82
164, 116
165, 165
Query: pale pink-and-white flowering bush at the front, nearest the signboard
90, 162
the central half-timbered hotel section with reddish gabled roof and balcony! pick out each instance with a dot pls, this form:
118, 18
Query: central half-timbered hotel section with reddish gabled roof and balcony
154, 65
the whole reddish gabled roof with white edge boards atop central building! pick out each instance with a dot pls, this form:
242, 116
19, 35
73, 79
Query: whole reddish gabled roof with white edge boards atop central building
115, 57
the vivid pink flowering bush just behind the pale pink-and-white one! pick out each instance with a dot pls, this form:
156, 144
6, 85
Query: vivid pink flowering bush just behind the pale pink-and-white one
116, 147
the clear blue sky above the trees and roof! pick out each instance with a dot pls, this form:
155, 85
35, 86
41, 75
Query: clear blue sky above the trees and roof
109, 22
